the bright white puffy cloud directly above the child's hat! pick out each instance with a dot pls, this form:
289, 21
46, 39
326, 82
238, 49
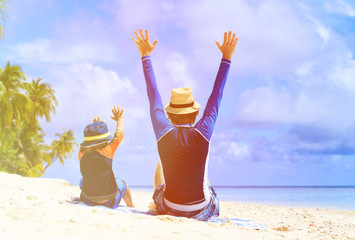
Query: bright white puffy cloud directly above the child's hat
85, 90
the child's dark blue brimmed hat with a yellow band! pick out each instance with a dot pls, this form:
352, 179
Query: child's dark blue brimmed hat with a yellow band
96, 133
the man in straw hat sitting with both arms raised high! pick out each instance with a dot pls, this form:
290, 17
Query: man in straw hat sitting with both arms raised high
183, 148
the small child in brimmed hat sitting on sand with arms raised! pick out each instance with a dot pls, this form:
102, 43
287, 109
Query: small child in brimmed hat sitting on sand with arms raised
99, 185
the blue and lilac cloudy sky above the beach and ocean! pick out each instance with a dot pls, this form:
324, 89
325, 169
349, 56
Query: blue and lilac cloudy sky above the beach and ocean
287, 114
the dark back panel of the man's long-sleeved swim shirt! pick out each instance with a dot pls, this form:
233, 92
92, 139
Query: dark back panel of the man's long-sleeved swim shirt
183, 152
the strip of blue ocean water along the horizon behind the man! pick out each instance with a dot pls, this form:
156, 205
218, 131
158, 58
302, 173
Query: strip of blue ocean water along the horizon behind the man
312, 197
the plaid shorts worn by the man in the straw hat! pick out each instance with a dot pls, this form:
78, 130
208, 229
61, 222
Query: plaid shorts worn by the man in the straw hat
211, 210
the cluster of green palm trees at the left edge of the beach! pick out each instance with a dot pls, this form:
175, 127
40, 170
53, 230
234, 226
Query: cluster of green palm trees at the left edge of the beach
22, 104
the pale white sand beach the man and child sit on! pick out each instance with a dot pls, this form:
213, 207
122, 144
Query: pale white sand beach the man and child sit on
33, 208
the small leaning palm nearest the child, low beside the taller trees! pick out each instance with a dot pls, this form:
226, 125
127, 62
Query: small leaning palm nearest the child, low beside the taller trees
61, 149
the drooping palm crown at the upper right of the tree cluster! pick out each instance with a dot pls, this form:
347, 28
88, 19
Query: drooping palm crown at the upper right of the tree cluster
42, 98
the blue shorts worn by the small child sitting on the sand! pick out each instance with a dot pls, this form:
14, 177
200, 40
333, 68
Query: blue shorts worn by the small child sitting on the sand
112, 203
